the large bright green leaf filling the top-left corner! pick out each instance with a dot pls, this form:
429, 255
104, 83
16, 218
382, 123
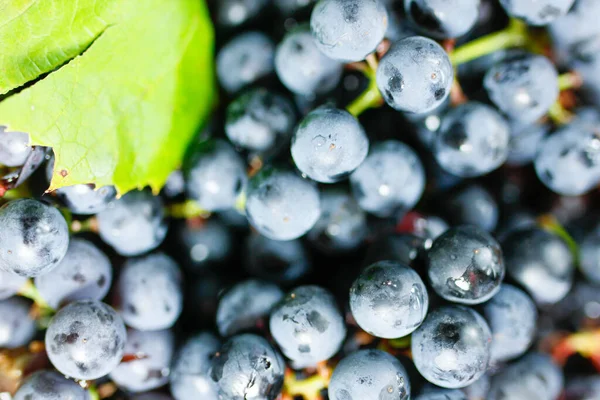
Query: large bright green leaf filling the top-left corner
129, 84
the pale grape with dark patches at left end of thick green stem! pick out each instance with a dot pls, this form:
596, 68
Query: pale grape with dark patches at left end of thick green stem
415, 75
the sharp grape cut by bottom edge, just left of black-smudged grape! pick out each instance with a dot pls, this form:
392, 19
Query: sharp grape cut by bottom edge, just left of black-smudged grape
369, 374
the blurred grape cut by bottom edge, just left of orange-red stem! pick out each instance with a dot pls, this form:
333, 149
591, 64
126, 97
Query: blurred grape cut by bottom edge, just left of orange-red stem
533, 377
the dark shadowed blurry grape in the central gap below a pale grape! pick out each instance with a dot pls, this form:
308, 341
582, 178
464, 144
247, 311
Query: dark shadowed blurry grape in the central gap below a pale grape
274, 260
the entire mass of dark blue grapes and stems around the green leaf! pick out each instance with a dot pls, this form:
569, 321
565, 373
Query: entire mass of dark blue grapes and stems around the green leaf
393, 200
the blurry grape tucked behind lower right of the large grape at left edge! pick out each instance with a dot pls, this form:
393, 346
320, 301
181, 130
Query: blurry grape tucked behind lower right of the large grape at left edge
84, 273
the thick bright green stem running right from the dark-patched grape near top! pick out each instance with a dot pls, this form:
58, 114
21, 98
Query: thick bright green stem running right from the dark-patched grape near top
514, 35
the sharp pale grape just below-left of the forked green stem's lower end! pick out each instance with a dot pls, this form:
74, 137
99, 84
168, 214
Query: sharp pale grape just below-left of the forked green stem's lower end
329, 144
